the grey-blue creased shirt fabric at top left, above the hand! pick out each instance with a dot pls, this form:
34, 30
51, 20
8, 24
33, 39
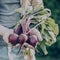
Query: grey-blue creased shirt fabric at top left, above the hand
6, 7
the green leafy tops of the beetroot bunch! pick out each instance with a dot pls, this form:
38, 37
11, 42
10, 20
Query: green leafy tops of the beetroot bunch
45, 24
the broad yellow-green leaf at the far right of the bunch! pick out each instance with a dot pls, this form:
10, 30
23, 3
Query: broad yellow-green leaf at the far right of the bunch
52, 26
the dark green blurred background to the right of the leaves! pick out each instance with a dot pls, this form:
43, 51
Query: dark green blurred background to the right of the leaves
54, 5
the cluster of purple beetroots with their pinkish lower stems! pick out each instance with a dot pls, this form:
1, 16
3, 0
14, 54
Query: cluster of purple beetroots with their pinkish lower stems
23, 33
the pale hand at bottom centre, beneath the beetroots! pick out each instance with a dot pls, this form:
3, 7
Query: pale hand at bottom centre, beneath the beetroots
28, 52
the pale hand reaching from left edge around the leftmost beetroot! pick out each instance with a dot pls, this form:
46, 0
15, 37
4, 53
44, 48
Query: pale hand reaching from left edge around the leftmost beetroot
5, 33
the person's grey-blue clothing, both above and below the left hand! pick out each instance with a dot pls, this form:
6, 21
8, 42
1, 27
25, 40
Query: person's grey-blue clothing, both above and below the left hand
7, 6
